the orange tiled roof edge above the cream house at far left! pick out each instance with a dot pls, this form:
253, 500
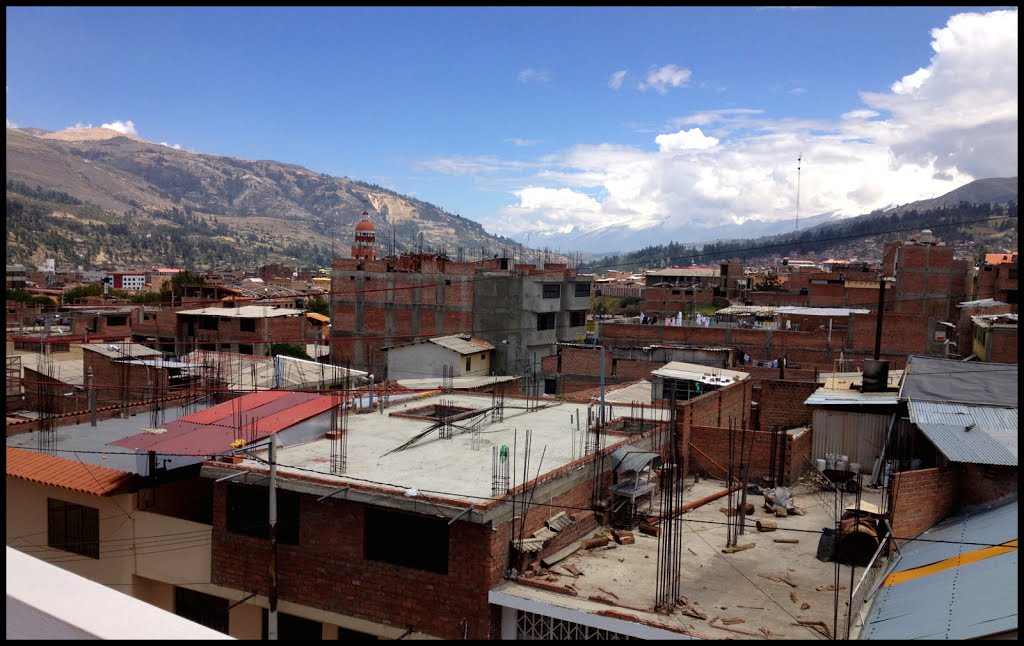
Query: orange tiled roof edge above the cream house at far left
64, 473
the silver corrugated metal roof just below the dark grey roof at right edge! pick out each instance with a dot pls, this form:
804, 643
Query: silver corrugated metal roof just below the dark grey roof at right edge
991, 441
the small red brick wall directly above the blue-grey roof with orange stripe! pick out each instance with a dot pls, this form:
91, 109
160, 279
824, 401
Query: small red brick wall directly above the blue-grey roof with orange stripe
920, 499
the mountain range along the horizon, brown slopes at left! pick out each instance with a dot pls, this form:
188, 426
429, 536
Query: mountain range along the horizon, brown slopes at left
96, 197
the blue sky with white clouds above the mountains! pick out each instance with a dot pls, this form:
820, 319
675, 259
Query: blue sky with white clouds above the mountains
543, 121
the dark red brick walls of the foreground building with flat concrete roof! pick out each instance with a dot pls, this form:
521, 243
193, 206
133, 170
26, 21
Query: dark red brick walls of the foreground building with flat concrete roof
328, 571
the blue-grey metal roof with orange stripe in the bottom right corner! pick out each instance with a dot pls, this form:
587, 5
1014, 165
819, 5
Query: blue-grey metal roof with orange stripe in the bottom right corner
971, 600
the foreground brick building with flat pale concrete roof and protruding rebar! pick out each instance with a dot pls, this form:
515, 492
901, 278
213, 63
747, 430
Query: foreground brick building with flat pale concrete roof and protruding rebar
409, 538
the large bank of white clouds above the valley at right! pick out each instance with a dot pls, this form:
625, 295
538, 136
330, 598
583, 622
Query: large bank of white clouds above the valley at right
930, 132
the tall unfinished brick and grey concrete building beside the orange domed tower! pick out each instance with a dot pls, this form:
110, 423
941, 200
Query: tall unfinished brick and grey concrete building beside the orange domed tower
523, 310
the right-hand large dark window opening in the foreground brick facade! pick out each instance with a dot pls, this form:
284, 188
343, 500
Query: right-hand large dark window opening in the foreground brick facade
388, 536
